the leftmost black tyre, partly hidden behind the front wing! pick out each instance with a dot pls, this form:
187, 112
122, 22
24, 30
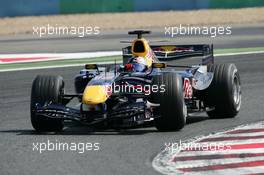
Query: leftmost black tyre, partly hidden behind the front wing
46, 89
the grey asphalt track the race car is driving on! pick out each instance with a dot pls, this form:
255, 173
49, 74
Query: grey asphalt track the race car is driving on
121, 152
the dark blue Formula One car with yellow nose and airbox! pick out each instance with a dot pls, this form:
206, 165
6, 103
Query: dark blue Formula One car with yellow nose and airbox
144, 88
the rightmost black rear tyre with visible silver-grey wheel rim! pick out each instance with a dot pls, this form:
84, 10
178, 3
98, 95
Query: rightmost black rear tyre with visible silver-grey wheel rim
224, 93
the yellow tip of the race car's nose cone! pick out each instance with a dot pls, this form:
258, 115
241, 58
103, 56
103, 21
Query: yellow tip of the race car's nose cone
94, 95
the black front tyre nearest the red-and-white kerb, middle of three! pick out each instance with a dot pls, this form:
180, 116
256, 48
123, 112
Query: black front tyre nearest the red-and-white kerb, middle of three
172, 112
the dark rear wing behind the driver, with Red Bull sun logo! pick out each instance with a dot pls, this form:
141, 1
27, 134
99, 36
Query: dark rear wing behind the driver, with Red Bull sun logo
174, 52
